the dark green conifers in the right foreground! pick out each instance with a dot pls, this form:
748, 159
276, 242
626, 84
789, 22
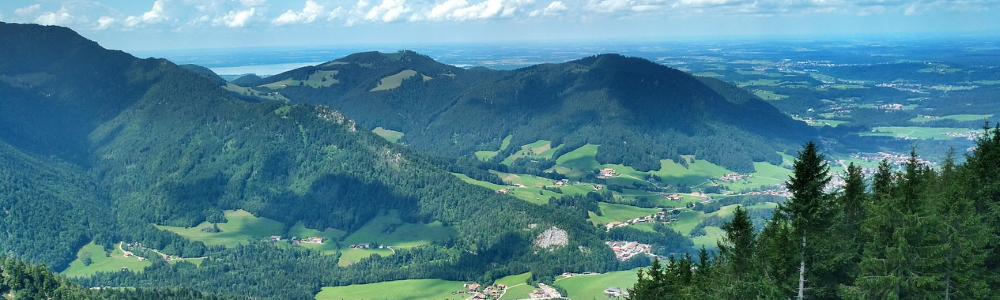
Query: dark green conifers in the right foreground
914, 233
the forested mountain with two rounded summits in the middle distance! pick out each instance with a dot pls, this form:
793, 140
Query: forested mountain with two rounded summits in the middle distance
638, 111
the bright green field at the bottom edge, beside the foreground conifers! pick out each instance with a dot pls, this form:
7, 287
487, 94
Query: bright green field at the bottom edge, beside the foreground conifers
585, 287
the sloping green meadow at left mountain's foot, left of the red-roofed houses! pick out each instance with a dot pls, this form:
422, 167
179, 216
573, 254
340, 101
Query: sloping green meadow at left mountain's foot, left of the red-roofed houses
241, 228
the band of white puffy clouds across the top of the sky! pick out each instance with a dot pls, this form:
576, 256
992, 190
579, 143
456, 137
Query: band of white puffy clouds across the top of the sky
182, 14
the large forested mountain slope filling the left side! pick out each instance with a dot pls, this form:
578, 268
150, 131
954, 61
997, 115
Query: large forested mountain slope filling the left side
97, 145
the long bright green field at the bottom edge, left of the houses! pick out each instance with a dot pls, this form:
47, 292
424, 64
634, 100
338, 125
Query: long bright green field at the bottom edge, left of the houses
400, 289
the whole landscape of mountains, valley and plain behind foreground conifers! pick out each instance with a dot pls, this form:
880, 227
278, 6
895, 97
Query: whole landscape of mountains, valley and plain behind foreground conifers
395, 175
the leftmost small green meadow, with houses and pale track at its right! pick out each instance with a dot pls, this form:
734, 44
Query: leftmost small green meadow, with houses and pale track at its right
102, 263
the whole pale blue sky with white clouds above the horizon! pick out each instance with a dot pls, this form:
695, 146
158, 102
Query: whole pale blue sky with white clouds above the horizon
134, 25
